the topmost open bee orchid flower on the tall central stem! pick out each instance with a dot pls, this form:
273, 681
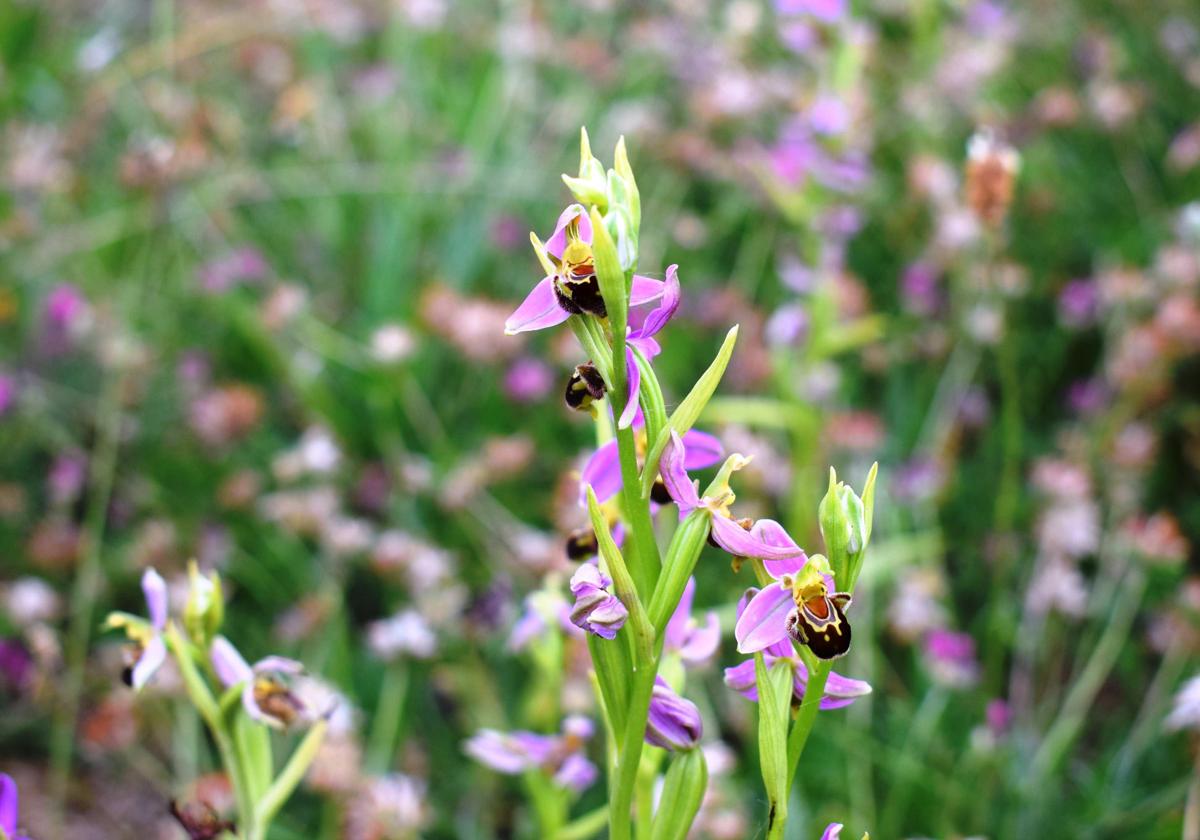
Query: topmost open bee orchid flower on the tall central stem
573, 287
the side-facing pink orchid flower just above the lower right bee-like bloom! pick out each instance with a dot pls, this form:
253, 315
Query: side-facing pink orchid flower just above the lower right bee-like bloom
740, 538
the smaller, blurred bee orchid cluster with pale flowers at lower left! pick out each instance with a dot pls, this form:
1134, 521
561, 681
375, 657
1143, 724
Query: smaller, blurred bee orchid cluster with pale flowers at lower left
239, 703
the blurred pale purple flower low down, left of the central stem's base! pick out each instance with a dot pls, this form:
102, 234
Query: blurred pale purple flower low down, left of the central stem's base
560, 757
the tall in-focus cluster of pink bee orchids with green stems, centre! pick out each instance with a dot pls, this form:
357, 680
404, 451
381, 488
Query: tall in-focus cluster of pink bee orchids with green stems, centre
632, 597
